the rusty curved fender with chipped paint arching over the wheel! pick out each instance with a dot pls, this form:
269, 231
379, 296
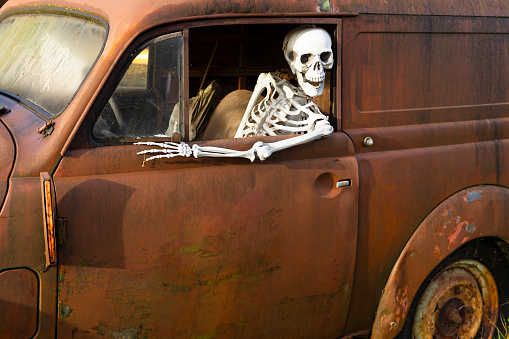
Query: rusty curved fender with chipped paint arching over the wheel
481, 211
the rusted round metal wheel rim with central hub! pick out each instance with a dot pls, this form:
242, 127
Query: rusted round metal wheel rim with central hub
461, 301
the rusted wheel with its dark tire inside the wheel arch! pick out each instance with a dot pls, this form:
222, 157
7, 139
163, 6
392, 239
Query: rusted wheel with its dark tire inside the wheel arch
466, 296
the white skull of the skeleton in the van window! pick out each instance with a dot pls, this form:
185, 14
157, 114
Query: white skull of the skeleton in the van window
308, 51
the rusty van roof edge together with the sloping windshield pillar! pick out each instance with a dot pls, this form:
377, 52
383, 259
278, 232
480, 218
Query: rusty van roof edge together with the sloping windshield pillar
128, 19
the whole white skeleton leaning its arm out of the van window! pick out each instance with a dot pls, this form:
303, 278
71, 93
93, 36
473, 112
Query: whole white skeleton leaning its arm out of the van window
285, 109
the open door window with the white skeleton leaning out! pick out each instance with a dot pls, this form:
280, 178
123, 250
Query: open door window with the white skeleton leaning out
275, 107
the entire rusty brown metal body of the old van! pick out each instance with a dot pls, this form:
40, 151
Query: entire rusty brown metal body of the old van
222, 247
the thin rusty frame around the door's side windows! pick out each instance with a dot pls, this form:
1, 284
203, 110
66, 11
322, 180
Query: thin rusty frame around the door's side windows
84, 137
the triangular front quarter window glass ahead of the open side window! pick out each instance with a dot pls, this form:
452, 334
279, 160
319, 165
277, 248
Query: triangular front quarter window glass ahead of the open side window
146, 102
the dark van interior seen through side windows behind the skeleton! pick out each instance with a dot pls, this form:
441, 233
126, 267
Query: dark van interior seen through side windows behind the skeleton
224, 62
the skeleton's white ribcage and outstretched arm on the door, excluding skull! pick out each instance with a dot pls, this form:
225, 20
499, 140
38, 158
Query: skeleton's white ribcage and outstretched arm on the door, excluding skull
282, 111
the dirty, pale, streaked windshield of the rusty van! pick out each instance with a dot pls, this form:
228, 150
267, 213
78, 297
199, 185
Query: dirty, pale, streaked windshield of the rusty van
44, 58
